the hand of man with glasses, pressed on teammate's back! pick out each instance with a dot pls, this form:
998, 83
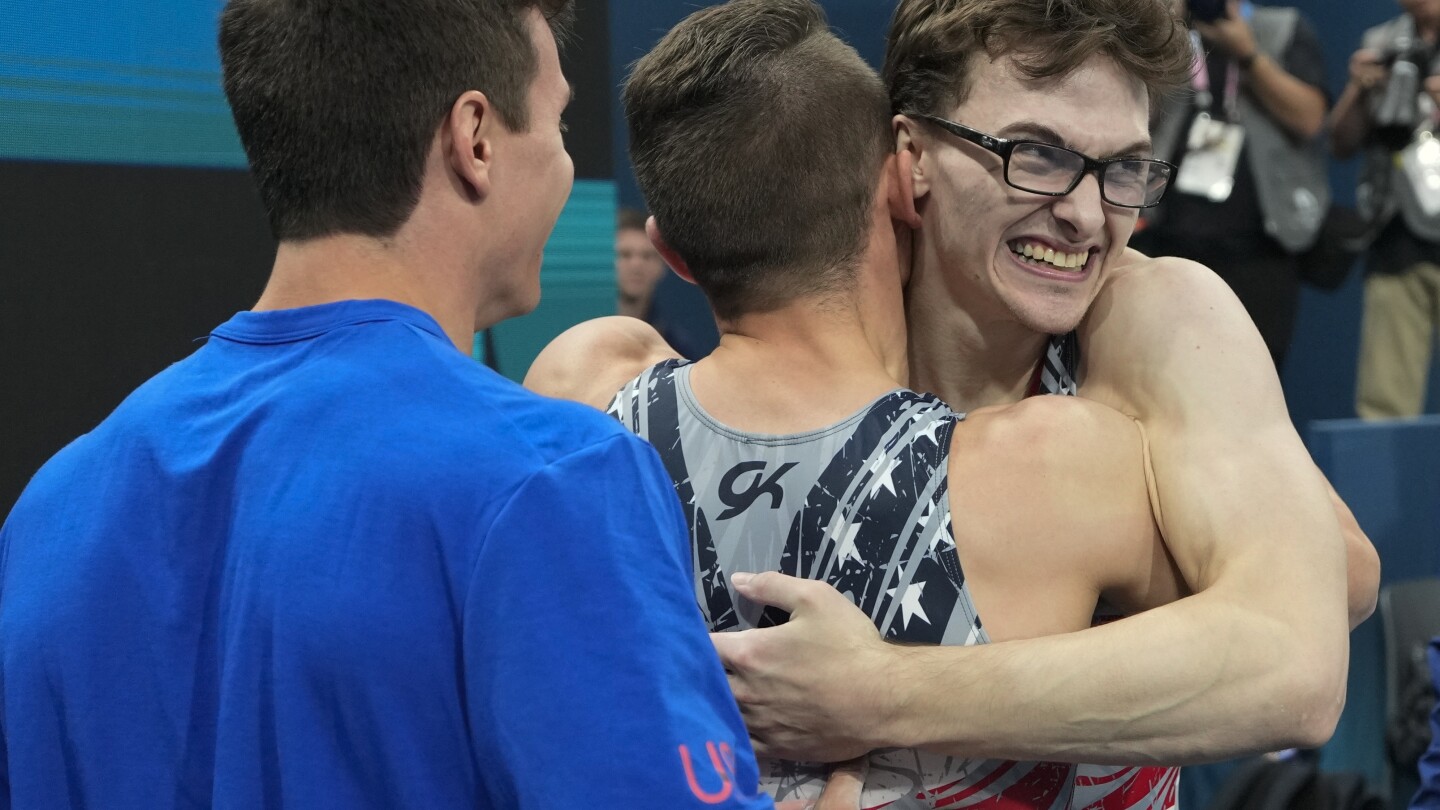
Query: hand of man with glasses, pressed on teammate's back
810, 690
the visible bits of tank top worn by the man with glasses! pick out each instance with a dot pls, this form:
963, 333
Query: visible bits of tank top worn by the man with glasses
1102, 788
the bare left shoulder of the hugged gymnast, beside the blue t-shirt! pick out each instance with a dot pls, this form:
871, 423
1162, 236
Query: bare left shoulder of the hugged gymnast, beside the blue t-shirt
591, 361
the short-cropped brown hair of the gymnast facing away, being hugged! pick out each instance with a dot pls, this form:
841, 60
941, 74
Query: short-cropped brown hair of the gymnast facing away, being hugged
758, 139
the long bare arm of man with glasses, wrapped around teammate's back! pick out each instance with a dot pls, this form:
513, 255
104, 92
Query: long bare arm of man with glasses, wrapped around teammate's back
1255, 661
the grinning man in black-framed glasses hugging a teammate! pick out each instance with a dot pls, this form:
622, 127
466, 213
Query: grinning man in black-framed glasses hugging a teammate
1020, 262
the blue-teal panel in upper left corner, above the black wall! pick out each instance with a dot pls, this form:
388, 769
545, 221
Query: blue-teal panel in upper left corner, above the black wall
133, 83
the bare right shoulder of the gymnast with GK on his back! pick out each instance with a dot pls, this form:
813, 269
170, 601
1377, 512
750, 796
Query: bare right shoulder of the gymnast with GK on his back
1055, 491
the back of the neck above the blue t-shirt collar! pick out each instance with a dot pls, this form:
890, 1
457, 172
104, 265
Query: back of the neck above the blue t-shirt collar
352, 267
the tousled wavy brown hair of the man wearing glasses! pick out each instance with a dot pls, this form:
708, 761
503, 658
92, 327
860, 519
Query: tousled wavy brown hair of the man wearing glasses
932, 44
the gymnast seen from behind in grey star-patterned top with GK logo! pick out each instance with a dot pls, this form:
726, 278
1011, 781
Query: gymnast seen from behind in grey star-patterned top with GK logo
796, 449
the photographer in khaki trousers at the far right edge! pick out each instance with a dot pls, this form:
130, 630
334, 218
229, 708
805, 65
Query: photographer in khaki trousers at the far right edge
1389, 109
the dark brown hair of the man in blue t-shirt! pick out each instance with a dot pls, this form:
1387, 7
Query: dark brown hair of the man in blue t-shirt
338, 102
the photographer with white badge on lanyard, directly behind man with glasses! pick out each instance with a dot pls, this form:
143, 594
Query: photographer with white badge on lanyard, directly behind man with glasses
1252, 192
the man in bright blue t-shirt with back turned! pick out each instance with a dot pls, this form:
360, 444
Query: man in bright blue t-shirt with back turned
329, 561
